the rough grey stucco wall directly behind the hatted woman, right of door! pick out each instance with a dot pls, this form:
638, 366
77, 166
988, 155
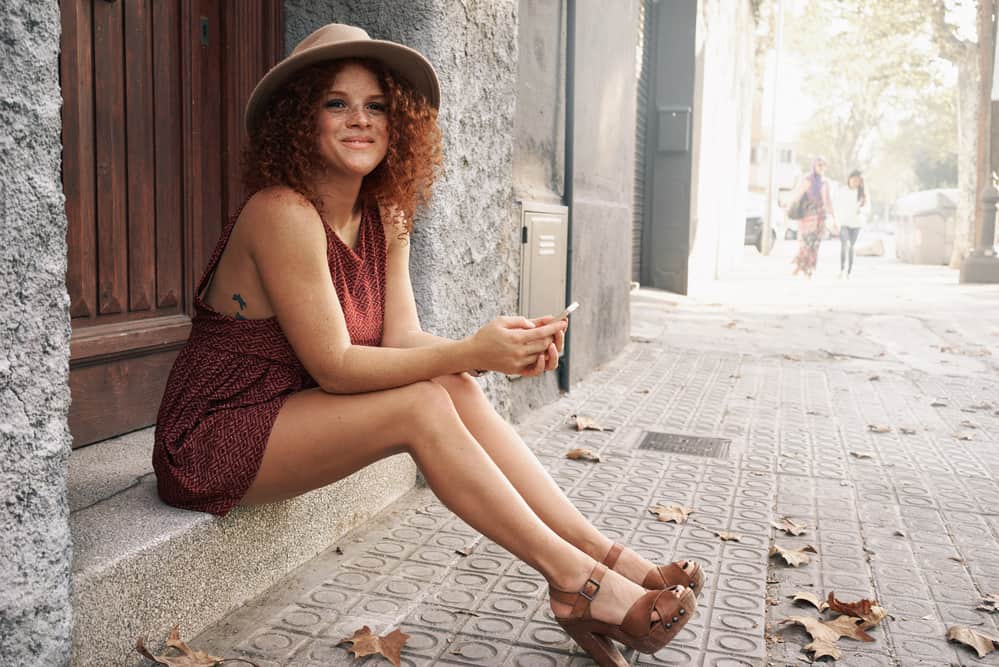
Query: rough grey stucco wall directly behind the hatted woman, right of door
466, 248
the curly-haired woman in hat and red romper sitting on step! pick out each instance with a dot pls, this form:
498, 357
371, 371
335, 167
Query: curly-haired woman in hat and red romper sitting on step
306, 361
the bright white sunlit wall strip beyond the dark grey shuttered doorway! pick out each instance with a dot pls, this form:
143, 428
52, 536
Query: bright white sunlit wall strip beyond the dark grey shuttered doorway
723, 100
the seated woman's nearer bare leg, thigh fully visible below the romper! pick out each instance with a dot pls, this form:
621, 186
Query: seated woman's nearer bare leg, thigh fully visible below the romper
319, 438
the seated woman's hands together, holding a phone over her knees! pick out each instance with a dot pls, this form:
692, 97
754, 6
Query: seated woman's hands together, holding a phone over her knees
517, 345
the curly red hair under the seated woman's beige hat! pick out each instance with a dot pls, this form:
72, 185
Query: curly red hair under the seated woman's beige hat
284, 151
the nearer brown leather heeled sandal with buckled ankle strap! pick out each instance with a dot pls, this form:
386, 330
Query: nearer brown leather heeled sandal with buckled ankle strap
638, 630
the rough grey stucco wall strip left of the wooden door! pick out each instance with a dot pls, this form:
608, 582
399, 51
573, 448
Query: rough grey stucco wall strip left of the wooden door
35, 616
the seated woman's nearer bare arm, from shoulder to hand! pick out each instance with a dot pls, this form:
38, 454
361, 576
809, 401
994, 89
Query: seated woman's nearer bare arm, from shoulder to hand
288, 247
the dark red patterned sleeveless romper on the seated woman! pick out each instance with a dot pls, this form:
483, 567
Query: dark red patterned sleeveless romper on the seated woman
232, 377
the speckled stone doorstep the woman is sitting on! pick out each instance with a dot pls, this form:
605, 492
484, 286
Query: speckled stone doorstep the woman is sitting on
140, 566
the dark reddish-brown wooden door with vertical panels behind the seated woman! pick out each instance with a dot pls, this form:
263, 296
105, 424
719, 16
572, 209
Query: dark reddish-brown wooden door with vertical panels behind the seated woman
153, 92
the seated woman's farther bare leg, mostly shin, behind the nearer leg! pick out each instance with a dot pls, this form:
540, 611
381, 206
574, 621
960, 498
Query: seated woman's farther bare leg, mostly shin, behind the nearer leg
506, 448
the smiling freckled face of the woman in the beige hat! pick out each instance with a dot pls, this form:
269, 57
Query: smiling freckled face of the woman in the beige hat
352, 124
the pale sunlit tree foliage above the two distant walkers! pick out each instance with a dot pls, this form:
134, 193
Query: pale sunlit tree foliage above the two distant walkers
883, 89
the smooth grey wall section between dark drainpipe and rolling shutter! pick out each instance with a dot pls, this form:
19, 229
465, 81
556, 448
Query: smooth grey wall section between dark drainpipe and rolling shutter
603, 179
